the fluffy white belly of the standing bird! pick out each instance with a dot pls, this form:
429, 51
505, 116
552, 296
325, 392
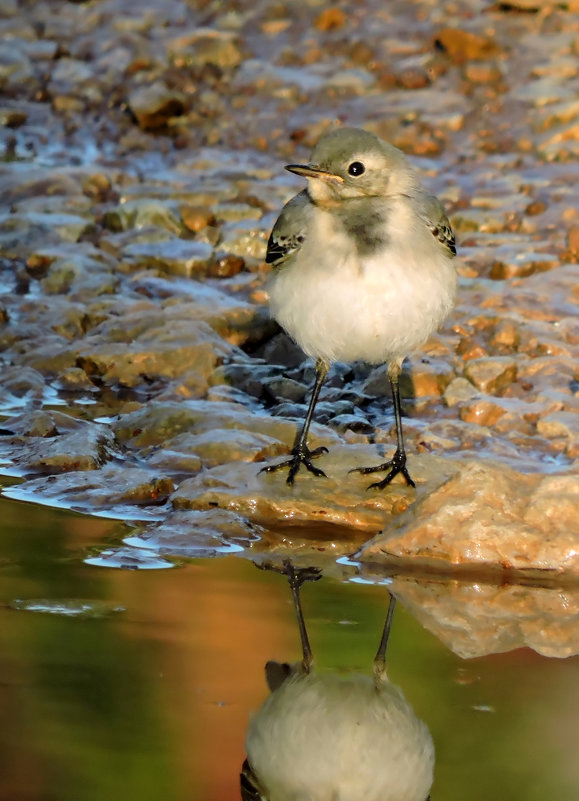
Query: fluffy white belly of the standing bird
339, 307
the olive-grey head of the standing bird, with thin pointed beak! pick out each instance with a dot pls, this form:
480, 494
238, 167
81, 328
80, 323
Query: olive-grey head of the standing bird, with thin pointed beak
350, 163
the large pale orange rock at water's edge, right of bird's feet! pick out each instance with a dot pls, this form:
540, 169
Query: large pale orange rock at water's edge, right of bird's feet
489, 516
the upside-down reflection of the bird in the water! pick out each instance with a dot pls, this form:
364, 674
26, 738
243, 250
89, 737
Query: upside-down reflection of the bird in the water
322, 736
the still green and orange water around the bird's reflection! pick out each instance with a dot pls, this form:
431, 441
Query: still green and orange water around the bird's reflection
139, 684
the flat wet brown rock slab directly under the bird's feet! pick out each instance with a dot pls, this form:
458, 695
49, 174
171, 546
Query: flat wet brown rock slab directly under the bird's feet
336, 506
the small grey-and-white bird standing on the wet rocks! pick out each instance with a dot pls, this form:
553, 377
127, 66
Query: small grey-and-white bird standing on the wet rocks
362, 270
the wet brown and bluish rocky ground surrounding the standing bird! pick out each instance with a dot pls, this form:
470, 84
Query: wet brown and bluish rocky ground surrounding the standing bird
141, 169
